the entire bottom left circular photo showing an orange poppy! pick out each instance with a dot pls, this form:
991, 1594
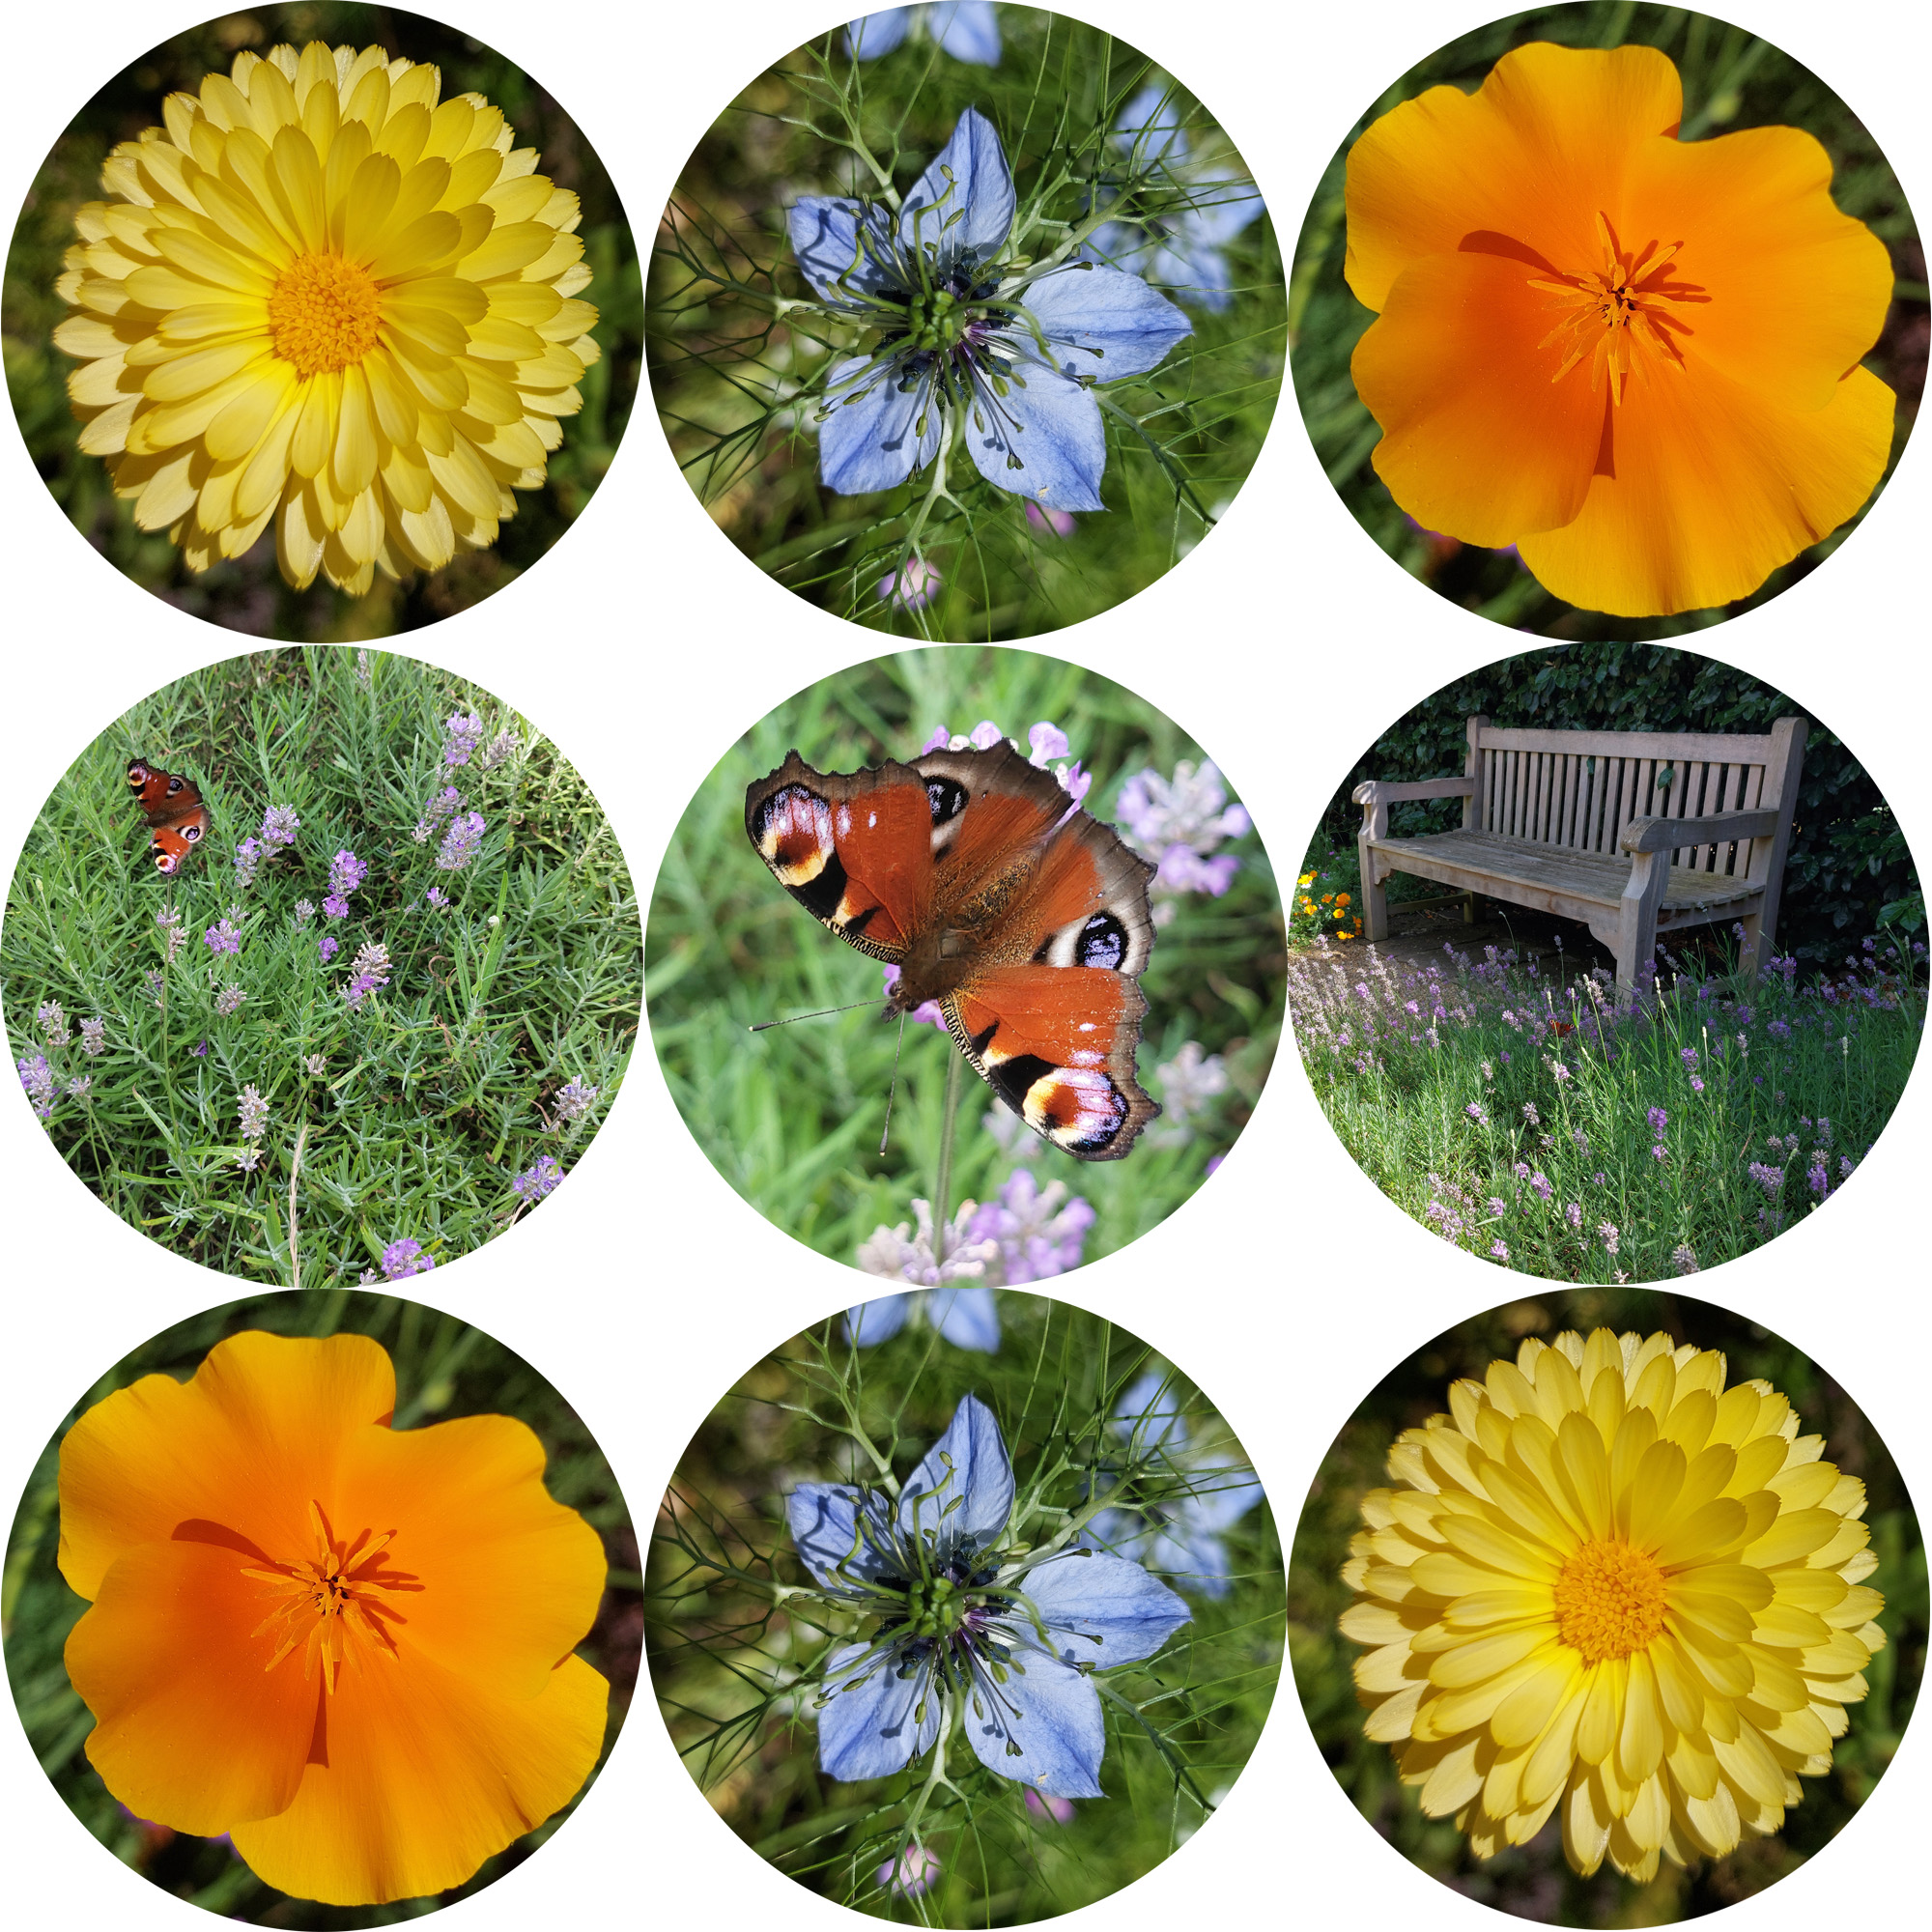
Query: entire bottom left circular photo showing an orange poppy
322, 1603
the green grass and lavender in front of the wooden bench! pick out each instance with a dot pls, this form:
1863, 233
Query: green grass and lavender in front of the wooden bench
1444, 1085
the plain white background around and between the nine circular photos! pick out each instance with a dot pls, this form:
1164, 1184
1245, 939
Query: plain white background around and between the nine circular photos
1284, 644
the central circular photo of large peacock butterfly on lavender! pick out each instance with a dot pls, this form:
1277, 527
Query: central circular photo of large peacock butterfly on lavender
965, 969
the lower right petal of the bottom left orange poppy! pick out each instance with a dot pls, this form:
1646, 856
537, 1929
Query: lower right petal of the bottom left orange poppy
420, 1775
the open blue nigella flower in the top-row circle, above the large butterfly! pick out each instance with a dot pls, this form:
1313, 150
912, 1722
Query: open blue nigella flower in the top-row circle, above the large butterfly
967, 345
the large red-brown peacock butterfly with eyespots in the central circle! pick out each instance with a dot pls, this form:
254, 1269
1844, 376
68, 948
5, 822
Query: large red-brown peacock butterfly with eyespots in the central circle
1017, 913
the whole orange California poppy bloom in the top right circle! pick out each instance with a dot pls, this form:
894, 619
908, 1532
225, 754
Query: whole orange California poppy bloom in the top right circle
1632, 356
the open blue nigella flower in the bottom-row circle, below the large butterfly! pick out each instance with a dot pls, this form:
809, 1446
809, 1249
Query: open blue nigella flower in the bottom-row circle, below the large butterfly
996, 1641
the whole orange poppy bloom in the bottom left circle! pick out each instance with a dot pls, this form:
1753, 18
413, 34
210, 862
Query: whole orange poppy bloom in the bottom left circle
345, 1645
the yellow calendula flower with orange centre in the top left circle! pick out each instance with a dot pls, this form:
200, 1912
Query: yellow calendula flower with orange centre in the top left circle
326, 298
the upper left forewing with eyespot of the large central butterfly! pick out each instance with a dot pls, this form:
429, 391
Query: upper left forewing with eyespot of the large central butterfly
853, 849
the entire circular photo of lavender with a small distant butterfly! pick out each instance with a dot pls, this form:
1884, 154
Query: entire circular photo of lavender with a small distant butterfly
322, 967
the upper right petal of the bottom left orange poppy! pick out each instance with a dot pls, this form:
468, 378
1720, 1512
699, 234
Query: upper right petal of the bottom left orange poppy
505, 1581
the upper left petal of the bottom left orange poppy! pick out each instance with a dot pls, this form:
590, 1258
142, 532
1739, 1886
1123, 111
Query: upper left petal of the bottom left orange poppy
244, 1444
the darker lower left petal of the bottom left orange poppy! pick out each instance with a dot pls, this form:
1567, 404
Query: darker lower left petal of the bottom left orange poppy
190, 1730
